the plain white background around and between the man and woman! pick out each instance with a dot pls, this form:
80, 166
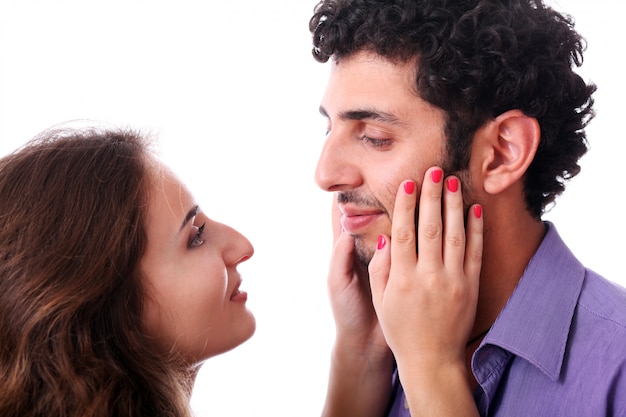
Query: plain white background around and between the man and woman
231, 91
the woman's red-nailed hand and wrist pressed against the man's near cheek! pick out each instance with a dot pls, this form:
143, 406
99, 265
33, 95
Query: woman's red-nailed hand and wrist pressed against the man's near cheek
426, 299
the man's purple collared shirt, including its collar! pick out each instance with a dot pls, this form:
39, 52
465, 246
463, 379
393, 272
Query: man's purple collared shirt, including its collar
558, 347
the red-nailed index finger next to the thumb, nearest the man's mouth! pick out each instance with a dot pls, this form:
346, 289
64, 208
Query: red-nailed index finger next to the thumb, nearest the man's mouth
403, 225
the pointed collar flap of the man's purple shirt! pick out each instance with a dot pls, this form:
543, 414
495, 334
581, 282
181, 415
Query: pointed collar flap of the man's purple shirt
535, 322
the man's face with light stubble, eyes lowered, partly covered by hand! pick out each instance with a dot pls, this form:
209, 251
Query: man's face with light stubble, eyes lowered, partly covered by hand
379, 134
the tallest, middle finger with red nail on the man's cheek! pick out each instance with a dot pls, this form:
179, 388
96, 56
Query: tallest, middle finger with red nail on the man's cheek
430, 226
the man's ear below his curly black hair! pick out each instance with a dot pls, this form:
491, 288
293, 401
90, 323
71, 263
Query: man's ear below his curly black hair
507, 147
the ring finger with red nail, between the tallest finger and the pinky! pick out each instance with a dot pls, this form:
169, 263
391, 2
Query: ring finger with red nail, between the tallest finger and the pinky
453, 224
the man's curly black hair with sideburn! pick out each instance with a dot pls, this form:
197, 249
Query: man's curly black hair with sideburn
476, 60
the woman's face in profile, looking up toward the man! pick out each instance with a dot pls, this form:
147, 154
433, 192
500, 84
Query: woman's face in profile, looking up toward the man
194, 304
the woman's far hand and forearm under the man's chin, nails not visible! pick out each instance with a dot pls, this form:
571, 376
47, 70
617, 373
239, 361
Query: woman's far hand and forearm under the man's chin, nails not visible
361, 364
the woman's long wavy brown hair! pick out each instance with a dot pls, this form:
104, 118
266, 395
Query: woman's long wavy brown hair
72, 210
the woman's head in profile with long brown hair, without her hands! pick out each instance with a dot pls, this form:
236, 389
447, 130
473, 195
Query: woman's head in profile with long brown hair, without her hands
111, 294
